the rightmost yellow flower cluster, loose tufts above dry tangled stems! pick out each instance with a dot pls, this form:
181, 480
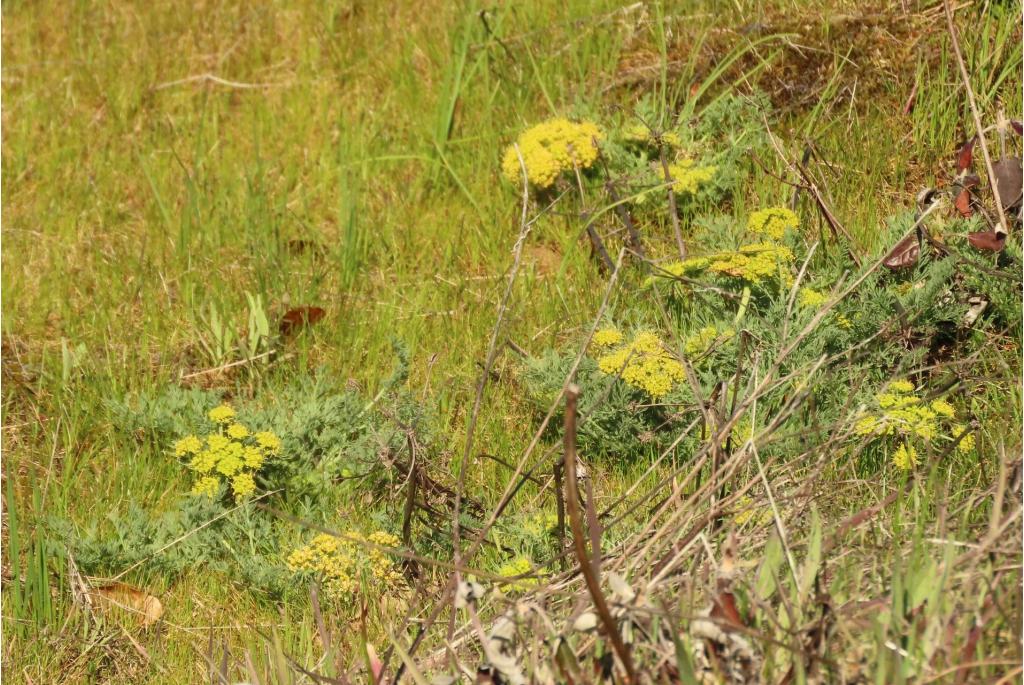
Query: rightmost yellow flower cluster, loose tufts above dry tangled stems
902, 418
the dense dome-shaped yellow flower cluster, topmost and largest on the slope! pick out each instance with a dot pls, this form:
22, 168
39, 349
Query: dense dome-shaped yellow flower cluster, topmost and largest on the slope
550, 149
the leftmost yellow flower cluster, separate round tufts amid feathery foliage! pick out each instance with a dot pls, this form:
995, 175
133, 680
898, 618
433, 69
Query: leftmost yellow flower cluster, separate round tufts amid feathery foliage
231, 455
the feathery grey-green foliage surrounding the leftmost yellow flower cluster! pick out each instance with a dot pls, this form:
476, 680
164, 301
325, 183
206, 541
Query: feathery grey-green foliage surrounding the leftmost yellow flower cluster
336, 445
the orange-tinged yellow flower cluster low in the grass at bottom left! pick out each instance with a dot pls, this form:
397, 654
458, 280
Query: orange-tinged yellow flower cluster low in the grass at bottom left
343, 564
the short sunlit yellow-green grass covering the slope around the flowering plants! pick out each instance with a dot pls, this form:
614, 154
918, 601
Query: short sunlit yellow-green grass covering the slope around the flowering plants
134, 203
